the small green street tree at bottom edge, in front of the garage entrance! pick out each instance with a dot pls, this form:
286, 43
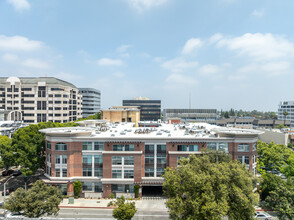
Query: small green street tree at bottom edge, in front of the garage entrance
124, 211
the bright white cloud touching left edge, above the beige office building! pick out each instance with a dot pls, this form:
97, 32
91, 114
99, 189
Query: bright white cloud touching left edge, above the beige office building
19, 43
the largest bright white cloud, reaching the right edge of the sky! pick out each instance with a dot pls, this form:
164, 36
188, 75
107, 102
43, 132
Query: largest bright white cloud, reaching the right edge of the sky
259, 46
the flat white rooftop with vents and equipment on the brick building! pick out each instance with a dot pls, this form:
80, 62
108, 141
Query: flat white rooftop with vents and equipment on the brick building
168, 131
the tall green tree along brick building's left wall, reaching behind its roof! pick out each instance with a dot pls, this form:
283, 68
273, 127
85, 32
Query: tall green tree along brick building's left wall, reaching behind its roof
28, 144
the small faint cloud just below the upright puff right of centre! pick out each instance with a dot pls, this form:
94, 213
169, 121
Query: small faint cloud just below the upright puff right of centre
178, 65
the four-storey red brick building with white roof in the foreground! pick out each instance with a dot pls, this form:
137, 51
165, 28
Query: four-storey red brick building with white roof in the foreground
112, 158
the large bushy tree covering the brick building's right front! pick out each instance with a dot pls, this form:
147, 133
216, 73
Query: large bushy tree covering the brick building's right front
209, 187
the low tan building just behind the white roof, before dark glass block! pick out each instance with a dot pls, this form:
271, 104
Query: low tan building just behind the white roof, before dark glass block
122, 114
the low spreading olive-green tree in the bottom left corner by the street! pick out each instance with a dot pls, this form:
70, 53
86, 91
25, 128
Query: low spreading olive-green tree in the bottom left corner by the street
37, 201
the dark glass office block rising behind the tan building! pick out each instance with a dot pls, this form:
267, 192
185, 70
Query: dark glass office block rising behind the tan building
150, 109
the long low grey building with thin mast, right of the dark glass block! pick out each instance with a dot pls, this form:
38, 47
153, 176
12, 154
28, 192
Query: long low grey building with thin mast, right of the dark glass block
191, 115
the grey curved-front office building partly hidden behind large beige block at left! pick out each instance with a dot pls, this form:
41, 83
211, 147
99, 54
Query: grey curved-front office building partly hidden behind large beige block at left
91, 101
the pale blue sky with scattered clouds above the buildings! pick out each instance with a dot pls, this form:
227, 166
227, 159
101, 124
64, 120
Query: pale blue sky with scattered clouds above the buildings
222, 53
